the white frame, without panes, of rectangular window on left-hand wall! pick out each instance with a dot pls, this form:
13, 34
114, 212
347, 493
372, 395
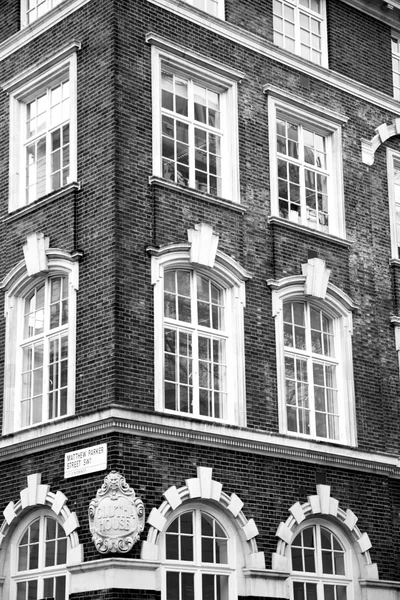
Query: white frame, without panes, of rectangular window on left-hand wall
24, 88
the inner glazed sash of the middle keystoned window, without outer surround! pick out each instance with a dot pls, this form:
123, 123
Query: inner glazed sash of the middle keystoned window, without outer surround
195, 339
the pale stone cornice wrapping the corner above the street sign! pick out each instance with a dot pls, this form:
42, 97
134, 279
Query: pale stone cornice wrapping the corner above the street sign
158, 426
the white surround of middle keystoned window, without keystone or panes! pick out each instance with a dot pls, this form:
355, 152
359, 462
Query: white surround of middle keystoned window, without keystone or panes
234, 291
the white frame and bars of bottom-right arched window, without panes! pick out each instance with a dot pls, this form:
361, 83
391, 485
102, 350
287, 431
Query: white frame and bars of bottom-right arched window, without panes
319, 578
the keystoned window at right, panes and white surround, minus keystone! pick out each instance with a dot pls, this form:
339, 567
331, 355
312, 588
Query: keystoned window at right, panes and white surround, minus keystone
314, 358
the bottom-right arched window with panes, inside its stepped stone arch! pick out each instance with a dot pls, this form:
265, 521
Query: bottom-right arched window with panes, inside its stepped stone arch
321, 564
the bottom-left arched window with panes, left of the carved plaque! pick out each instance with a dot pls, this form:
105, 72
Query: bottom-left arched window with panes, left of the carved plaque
38, 570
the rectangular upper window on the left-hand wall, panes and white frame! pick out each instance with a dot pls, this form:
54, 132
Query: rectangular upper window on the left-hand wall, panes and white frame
43, 134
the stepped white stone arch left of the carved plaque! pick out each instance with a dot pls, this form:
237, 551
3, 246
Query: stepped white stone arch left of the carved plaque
37, 495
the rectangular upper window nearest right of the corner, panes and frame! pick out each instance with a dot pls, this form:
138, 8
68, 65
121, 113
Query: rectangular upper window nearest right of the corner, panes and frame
195, 127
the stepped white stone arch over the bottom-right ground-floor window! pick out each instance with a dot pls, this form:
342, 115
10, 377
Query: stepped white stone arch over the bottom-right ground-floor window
324, 505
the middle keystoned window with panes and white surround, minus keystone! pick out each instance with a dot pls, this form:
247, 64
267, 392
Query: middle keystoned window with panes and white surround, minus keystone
199, 345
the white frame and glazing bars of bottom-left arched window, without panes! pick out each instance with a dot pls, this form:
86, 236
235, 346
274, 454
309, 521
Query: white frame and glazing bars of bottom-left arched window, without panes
42, 572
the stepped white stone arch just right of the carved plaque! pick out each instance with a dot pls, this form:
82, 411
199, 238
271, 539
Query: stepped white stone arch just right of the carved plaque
203, 487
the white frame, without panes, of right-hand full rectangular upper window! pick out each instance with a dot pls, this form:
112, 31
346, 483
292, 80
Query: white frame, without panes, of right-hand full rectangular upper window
323, 122
